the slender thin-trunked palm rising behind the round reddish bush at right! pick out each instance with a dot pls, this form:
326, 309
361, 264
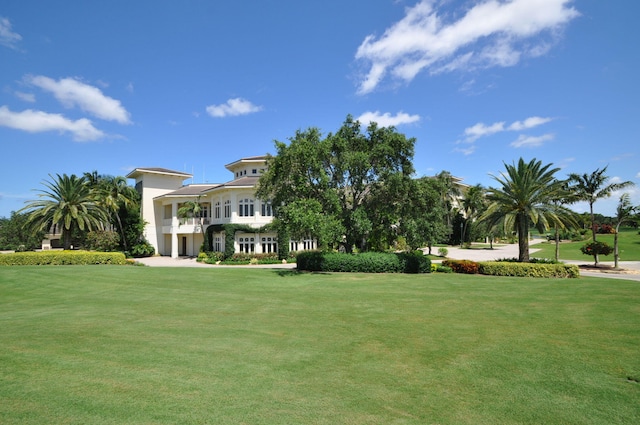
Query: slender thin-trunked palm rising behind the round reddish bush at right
591, 187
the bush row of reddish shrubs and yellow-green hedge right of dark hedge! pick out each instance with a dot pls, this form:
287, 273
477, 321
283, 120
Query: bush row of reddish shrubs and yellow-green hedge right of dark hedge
503, 268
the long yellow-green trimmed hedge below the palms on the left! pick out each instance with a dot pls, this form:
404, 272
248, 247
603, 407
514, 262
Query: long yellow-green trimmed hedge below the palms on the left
58, 258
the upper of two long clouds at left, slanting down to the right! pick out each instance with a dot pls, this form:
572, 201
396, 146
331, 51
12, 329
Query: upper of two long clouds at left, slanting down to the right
71, 93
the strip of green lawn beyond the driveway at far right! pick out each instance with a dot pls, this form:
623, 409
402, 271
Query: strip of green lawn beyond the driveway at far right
628, 244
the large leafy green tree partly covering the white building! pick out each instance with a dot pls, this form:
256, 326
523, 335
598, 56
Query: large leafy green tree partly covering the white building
344, 173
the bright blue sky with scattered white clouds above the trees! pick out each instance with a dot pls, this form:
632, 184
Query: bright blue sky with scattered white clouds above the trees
194, 85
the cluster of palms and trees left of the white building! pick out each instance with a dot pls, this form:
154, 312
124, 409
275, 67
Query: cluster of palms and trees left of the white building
93, 210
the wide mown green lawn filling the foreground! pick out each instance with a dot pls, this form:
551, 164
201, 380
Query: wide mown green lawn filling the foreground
138, 345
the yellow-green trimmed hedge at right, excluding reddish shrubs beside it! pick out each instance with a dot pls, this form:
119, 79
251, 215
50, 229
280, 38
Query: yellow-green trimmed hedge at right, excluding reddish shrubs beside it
495, 268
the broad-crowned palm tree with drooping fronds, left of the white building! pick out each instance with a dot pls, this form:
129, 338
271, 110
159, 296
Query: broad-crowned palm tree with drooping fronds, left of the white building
68, 202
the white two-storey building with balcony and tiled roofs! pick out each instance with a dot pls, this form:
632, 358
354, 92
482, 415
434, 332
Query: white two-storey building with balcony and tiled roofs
163, 193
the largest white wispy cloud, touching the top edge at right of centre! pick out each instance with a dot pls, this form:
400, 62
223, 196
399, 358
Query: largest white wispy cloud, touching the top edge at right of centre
491, 33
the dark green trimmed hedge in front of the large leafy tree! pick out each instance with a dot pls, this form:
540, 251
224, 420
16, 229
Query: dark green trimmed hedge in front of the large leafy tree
368, 262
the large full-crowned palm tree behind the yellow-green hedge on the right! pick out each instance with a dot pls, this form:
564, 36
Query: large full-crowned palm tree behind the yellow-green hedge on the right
526, 196
